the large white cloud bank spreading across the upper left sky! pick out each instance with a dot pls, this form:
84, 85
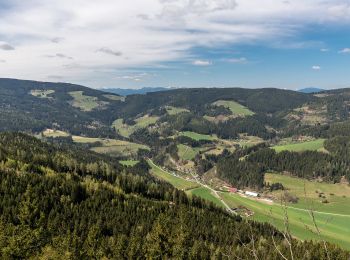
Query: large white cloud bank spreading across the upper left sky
115, 35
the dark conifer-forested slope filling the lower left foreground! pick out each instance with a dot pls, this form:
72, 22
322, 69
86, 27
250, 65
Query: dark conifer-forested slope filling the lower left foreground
57, 204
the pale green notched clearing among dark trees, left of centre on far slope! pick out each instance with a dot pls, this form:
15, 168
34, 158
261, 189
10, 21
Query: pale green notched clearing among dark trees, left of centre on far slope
127, 130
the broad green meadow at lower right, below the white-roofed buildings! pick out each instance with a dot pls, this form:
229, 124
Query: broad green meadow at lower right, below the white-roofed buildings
332, 218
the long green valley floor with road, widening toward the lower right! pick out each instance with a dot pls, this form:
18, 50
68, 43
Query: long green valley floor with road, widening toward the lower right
305, 220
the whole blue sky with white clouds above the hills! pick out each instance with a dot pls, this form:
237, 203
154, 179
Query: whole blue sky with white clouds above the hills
178, 43
